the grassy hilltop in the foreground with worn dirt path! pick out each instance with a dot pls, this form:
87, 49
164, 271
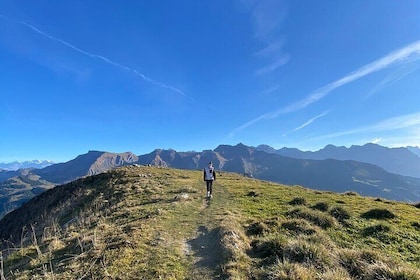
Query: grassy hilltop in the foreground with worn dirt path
154, 223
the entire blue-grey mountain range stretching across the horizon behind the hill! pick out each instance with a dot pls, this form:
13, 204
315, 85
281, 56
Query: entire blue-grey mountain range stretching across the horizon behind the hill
331, 171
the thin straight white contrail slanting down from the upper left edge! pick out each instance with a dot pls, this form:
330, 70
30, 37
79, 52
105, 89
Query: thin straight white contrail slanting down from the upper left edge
94, 56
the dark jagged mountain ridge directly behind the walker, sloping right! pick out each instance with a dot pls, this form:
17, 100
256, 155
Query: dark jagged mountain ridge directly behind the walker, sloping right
330, 174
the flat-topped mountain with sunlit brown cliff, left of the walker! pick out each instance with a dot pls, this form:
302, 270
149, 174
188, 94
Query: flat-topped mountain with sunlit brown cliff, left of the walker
17, 187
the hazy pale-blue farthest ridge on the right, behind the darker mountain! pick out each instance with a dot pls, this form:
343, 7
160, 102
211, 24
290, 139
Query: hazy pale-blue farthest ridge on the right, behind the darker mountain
403, 161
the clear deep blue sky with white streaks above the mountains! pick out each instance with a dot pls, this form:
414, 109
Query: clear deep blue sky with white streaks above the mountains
190, 75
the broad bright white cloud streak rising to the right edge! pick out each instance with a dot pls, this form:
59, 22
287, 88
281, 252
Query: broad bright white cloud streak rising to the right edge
406, 54
